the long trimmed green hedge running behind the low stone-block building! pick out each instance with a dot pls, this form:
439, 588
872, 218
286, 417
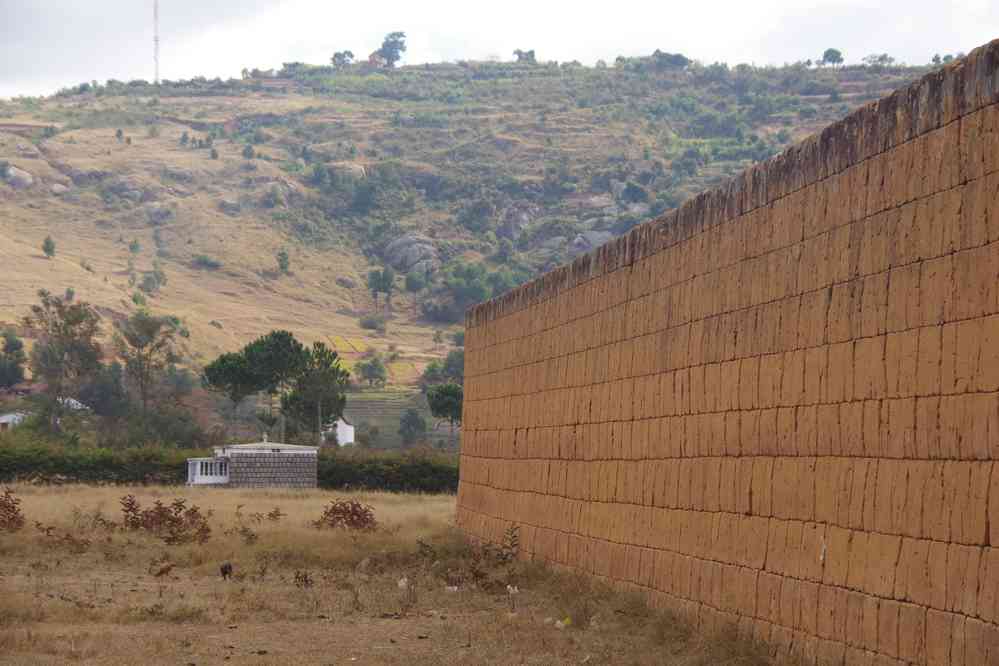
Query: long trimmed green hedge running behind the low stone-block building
398, 472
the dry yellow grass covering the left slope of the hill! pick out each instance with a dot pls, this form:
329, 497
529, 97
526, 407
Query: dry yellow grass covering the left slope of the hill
223, 309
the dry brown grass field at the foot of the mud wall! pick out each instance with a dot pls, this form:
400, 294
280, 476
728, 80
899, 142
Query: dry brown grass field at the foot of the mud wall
76, 589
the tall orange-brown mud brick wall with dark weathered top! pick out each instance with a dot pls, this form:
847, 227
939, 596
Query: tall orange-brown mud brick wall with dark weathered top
777, 406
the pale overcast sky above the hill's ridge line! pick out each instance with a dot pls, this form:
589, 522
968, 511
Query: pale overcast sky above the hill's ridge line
48, 44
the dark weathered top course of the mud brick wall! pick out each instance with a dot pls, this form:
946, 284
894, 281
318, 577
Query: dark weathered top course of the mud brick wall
937, 99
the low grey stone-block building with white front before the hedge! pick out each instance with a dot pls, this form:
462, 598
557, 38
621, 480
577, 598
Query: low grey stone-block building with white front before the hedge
258, 465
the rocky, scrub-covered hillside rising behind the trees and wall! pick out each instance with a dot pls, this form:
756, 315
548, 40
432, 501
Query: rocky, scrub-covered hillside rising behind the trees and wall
468, 177
